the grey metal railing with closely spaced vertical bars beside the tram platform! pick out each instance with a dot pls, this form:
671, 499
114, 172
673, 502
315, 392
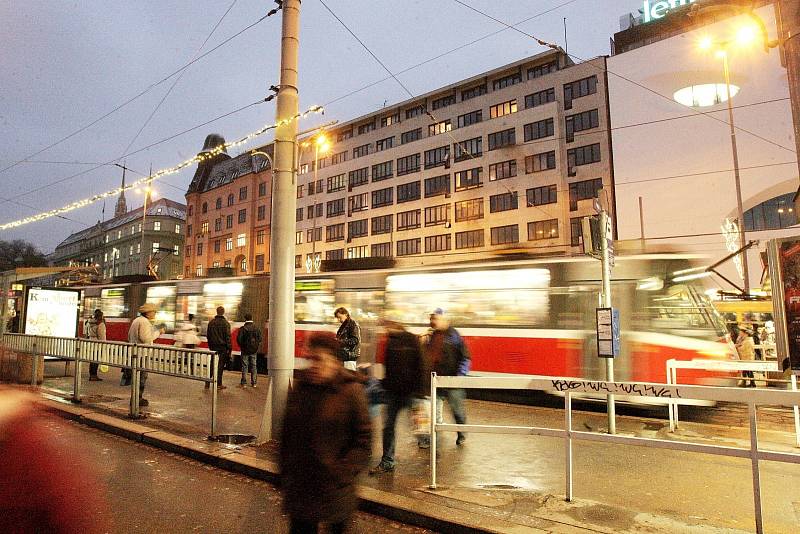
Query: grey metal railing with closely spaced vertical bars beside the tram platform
191, 364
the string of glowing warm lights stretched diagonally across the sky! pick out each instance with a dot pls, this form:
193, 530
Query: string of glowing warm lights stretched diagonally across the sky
145, 182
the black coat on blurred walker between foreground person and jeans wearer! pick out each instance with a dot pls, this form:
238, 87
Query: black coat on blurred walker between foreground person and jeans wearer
407, 371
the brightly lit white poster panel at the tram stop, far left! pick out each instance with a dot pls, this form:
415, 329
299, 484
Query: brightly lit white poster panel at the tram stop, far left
52, 312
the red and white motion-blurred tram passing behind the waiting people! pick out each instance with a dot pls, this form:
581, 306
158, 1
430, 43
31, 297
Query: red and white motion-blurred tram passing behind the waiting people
517, 317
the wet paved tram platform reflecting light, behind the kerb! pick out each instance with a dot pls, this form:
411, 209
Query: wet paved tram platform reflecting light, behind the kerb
497, 482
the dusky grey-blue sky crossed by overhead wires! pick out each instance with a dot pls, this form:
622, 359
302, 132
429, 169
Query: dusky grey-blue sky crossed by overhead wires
65, 64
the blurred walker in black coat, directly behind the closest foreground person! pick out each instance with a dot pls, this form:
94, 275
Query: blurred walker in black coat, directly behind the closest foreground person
404, 382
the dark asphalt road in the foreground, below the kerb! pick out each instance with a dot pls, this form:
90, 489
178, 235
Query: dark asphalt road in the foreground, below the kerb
150, 490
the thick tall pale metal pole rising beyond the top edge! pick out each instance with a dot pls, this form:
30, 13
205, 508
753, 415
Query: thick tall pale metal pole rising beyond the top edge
284, 203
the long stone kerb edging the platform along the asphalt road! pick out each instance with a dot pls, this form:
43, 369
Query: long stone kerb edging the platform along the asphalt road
395, 507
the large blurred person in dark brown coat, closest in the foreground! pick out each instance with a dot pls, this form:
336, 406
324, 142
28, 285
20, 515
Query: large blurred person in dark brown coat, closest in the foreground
326, 441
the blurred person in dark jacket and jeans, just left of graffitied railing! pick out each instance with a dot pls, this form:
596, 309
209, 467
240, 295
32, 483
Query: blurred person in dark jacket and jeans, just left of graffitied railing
448, 354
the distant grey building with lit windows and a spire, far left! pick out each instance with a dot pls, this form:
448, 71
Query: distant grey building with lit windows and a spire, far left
125, 244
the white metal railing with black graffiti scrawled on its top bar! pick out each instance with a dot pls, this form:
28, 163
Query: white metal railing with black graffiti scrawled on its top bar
668, 393
